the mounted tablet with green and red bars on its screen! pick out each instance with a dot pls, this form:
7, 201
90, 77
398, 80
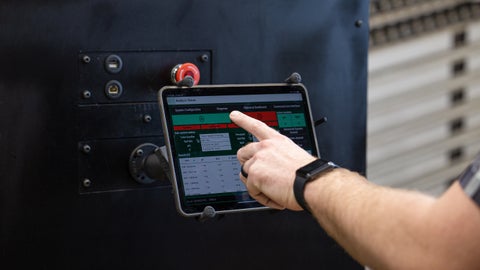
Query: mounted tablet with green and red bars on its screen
202, 142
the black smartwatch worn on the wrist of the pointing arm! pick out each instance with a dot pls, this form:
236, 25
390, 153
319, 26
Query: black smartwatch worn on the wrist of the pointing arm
306, 174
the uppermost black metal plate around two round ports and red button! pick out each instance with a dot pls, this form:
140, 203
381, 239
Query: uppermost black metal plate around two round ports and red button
142, 73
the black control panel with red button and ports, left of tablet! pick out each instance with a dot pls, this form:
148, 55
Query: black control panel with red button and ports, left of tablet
117, 114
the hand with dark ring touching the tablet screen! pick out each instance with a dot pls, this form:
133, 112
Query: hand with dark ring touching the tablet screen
270, 163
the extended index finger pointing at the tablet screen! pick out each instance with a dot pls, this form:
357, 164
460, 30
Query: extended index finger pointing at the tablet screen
256, 127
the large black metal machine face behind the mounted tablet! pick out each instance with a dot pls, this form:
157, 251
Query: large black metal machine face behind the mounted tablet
49, 219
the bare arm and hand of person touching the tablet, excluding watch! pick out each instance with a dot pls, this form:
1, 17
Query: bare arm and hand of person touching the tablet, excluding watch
380, 227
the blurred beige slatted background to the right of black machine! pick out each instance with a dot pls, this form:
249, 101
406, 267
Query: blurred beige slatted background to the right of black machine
424, 92
